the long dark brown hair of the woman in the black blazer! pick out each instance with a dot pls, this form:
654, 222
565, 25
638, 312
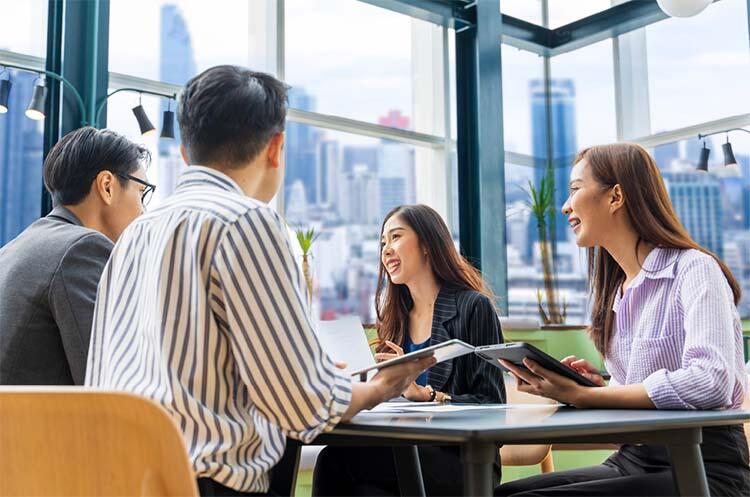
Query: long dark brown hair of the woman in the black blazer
393, 302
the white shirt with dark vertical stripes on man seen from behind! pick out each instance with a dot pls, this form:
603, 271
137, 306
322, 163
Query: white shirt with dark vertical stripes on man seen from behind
202, 309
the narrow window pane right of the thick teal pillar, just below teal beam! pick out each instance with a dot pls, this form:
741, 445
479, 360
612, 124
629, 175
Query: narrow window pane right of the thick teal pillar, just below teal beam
523, 108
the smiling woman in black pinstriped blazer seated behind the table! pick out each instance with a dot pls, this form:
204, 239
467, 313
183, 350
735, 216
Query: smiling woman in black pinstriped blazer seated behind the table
427, 294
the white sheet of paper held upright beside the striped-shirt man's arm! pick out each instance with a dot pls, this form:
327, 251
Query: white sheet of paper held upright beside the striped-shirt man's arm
344, 340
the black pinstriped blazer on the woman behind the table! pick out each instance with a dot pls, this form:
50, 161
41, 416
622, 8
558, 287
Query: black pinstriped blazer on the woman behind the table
468, 316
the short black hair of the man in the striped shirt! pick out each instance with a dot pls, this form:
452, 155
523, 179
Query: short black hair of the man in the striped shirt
227, 114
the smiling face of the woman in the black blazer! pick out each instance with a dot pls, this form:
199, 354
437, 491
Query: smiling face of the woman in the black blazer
402, 256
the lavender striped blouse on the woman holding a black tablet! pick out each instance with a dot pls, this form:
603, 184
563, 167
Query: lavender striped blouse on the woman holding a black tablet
678, 332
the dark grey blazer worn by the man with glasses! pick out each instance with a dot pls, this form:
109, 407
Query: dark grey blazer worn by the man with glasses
48, 280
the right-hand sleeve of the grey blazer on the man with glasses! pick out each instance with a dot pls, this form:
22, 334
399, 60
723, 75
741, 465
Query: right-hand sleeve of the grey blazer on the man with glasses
72, 294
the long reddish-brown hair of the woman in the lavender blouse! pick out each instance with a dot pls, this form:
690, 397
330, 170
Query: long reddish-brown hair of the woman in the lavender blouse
650, 212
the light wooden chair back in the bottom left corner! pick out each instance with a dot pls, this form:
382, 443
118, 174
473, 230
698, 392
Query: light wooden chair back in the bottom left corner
88, 442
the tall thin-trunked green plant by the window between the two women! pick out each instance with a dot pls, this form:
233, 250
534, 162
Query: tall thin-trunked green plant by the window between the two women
542, 205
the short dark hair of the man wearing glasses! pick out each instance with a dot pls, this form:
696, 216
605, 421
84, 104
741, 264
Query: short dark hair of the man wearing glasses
75, 161
